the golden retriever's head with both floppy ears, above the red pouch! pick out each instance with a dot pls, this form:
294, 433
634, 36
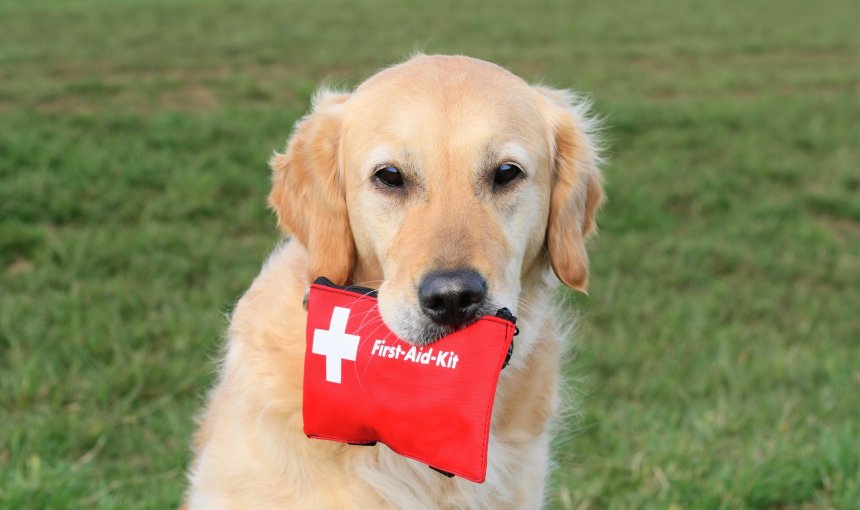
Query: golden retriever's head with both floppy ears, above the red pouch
448, 183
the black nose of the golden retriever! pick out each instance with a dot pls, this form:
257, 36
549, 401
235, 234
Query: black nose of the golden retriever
452, 298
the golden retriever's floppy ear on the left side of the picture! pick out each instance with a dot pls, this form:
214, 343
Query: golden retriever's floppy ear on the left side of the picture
308, 192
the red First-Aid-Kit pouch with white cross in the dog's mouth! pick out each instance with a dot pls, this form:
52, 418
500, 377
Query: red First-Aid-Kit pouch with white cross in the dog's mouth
433, 404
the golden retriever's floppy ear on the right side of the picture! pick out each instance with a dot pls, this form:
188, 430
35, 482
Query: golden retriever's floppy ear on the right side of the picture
577, 190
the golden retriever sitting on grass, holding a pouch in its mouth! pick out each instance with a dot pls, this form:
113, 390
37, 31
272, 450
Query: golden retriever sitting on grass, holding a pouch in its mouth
454, 188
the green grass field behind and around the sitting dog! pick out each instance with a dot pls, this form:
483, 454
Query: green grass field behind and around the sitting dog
719, 351
